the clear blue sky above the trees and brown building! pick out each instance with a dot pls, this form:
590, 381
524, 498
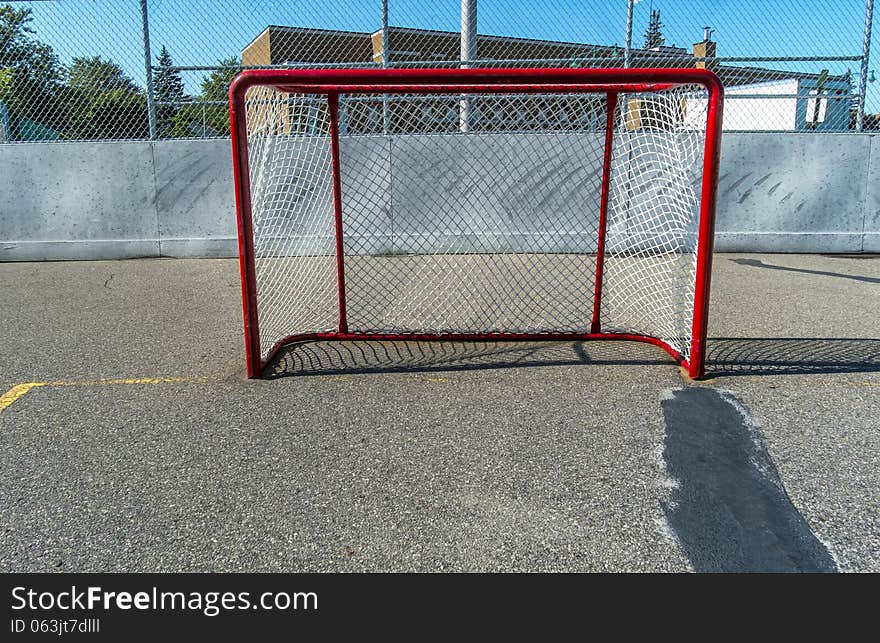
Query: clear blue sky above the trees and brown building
200, 32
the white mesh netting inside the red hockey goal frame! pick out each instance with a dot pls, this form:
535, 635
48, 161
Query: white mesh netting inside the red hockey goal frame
476, 214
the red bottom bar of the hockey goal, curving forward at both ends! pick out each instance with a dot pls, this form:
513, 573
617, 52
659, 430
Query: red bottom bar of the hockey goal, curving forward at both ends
255, 370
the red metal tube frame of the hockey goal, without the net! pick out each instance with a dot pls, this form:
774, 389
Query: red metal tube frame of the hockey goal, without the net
612, 82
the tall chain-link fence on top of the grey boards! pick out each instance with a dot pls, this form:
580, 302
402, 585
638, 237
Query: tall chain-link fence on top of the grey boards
138, 69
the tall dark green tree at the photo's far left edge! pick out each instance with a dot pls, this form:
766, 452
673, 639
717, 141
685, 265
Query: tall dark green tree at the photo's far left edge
31, 77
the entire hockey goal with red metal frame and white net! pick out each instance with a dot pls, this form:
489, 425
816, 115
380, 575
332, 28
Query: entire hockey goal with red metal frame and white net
476, 204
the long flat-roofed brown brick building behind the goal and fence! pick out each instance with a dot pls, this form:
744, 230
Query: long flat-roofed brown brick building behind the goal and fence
282, 46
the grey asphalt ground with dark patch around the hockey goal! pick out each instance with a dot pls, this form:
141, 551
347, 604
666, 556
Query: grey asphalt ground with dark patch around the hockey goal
140, 447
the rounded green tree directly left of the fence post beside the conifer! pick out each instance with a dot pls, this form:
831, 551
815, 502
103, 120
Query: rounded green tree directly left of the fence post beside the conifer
105, 103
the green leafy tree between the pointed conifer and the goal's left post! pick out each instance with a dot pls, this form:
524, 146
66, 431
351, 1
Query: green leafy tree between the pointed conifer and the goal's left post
209, 113
